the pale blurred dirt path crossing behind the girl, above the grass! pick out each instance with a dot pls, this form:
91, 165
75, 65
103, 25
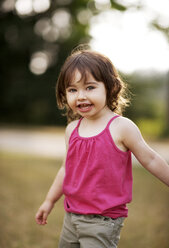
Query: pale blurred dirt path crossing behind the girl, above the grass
49, 142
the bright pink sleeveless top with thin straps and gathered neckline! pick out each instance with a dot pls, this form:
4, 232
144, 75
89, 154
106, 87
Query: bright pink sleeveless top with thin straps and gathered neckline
98, 175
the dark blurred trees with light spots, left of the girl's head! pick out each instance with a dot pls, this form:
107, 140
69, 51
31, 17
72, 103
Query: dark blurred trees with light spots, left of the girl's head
35, 38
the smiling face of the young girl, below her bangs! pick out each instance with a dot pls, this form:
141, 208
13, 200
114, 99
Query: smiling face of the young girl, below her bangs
86, 97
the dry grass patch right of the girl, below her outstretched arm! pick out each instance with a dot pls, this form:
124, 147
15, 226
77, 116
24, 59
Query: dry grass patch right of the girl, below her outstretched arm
147, 225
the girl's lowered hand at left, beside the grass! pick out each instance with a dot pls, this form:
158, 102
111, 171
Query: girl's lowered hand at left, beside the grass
43, 212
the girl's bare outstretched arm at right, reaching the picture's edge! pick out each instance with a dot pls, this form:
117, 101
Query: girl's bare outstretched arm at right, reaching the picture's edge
148, 158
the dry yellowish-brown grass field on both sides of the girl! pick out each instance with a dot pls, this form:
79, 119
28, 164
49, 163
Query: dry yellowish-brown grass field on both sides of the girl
24, 182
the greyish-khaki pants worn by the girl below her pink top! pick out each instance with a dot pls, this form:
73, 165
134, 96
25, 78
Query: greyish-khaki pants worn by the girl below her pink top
90, 231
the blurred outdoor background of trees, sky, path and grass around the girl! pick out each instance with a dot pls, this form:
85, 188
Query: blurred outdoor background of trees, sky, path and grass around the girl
35, 38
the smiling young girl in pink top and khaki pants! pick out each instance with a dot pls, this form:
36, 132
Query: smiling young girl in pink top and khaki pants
96, 176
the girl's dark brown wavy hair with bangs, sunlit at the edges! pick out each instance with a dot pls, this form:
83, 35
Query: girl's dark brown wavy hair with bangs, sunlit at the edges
102, 69
